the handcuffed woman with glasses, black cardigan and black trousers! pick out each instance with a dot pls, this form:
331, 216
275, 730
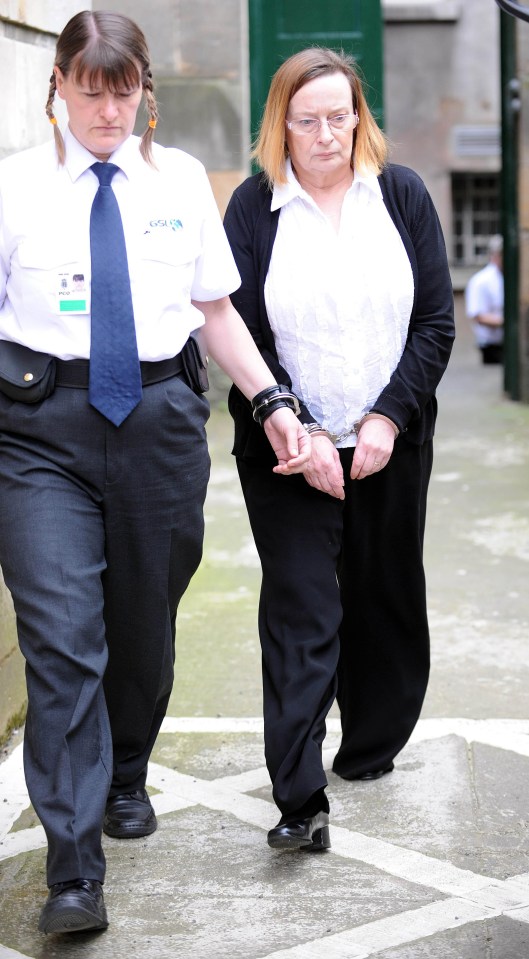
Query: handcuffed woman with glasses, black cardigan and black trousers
346, 292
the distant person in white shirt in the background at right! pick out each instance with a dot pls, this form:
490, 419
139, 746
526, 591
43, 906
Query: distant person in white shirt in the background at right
484, 303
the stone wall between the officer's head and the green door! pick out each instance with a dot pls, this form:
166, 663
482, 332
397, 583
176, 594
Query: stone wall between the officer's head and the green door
199, 63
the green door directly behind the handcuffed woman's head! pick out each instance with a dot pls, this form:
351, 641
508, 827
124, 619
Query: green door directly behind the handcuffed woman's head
279, 28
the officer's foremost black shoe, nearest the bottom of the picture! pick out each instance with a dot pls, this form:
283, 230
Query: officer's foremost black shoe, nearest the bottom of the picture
74, 906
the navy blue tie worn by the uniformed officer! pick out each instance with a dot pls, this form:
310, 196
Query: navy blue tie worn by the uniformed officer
115, 378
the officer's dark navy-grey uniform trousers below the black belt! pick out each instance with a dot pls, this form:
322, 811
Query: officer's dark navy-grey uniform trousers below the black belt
101, 529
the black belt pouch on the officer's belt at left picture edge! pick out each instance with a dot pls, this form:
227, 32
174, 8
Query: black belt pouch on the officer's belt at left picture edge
25, 375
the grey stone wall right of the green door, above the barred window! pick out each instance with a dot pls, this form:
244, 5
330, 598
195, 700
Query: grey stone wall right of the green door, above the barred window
441, 73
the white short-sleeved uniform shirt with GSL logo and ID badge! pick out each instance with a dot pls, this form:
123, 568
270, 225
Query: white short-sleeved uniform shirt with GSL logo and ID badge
176, 247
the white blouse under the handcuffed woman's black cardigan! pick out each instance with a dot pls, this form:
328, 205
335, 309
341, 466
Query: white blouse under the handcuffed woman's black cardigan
339, 304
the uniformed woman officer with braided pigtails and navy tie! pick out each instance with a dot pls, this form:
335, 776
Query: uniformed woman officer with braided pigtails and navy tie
102, 481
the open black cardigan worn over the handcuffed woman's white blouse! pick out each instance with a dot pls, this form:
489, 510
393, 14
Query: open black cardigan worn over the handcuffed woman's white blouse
409, 397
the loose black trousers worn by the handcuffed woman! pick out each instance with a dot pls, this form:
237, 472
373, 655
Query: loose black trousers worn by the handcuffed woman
342, 613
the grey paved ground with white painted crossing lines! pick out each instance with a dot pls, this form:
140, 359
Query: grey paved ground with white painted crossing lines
431, 862
